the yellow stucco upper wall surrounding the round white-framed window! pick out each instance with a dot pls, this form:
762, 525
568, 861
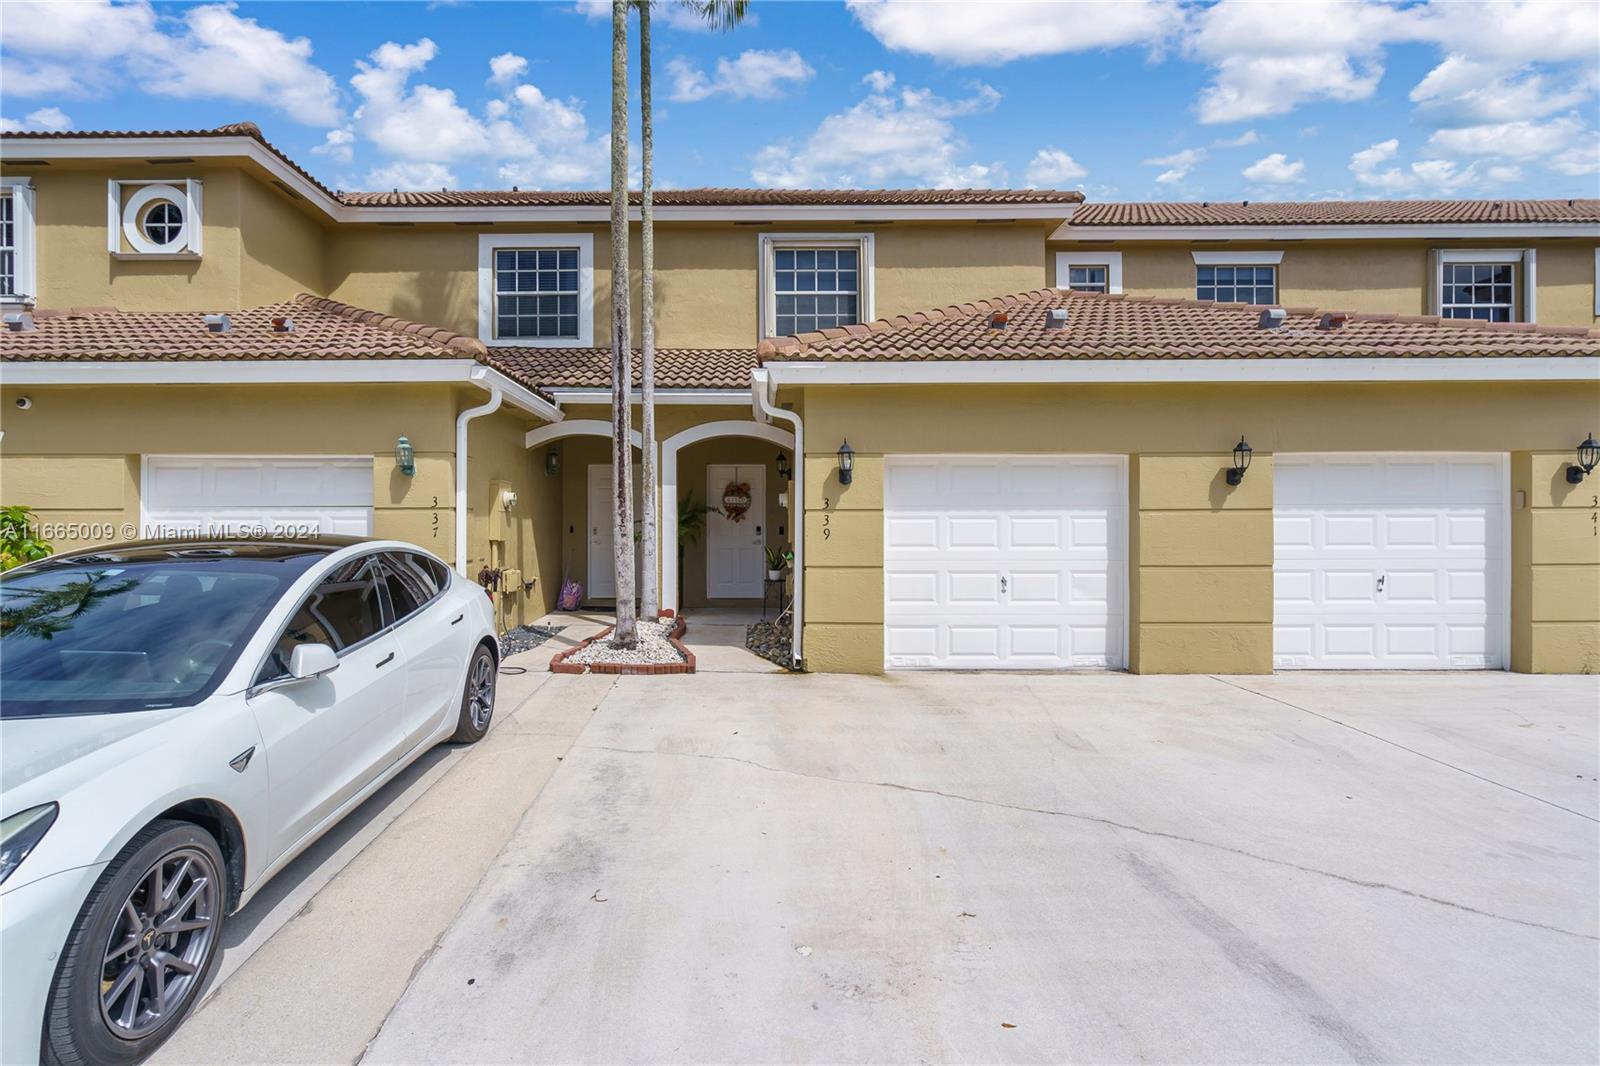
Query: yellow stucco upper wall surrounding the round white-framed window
257, 246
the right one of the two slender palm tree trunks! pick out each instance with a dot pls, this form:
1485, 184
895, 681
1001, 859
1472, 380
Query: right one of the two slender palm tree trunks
647, 348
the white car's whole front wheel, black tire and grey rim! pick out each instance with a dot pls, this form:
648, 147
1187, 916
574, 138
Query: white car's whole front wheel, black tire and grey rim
142, 950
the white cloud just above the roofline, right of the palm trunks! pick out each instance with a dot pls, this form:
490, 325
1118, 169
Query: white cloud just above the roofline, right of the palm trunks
903, 137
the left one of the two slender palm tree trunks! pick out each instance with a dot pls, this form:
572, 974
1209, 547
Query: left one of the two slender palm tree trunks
626, 635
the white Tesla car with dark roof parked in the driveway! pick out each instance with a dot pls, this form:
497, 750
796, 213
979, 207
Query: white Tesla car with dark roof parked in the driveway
178, 721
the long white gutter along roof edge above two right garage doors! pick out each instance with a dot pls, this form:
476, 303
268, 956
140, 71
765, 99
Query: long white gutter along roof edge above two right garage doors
1287, 371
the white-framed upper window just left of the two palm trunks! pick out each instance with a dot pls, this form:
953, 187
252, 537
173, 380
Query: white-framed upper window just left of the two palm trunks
537, 291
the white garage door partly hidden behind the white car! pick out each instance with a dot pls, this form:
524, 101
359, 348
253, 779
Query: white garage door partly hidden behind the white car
284, 495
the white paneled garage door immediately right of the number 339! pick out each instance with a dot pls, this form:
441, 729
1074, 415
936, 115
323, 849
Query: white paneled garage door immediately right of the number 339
1004, 563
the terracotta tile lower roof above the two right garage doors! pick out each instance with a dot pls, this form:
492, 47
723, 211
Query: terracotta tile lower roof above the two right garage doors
1127, 327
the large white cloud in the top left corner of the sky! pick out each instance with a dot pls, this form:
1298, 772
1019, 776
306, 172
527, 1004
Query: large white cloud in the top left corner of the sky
206, 52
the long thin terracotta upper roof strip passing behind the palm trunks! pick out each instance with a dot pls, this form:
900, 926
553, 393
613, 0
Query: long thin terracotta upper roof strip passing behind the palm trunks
718, 198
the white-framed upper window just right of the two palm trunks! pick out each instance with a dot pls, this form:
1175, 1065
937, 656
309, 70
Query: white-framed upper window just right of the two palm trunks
815, 283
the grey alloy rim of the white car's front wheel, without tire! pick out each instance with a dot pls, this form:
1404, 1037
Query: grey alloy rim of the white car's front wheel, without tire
159, 944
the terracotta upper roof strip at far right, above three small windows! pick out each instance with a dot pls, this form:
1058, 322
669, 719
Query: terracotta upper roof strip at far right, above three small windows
1335, 214
